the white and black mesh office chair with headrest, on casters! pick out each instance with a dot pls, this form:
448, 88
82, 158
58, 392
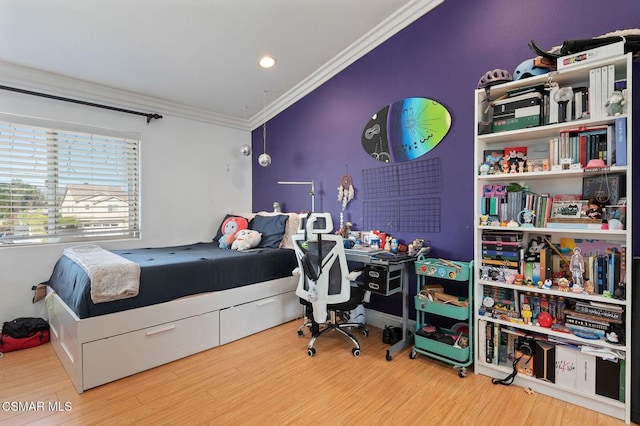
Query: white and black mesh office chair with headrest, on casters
326, 286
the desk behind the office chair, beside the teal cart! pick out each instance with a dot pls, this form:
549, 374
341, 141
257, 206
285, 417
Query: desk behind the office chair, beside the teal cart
391, 265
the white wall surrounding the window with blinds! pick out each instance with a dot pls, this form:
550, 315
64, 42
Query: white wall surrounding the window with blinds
192, 173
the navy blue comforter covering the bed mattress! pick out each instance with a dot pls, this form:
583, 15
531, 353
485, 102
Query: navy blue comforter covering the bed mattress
169, 273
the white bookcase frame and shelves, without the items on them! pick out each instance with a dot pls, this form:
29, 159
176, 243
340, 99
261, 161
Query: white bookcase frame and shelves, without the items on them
553, 182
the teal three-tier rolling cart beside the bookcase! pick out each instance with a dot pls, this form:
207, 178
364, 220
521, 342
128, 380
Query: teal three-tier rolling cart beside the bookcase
444, 316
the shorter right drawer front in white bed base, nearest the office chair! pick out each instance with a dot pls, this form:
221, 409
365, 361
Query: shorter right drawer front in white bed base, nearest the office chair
242, 320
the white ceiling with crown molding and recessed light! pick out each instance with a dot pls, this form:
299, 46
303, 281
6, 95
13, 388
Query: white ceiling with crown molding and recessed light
199, 57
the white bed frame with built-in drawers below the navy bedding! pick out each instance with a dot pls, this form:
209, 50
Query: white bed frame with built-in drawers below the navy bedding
101, 349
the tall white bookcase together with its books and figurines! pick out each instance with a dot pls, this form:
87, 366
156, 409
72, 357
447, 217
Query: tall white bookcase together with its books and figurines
549, 270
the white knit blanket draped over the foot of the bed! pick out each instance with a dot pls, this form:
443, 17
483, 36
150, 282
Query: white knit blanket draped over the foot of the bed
112, 277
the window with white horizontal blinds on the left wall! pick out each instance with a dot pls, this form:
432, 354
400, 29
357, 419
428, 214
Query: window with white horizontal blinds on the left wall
64, 182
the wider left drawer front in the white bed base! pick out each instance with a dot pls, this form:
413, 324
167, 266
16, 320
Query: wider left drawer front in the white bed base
109, 359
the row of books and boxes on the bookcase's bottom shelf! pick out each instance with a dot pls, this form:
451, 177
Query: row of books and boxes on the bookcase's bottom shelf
563, 364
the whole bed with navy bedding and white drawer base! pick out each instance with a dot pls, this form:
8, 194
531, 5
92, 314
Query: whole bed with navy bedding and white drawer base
191, 298
